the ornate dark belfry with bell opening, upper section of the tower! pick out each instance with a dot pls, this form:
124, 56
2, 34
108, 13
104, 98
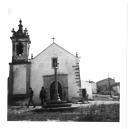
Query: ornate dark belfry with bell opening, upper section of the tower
20, 44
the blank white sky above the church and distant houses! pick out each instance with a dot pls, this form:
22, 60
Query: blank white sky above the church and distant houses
94, 29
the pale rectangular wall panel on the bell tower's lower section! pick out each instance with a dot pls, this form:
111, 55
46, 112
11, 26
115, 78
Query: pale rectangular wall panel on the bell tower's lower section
19, 82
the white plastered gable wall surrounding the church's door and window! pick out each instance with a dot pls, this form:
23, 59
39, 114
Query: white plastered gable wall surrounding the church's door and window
42, 65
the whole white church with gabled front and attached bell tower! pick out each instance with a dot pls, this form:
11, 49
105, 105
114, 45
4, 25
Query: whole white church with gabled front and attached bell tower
41, 70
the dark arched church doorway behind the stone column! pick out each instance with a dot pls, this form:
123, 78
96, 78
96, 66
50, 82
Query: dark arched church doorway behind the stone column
52, 91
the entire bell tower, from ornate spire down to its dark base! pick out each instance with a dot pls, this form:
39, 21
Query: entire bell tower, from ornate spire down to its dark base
20, 66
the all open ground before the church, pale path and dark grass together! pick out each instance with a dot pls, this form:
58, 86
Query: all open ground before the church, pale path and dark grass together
107, 111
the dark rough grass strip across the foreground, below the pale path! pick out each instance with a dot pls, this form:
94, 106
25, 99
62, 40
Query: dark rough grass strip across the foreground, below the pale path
92, 113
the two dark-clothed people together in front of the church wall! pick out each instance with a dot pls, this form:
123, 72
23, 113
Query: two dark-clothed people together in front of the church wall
42, 97
